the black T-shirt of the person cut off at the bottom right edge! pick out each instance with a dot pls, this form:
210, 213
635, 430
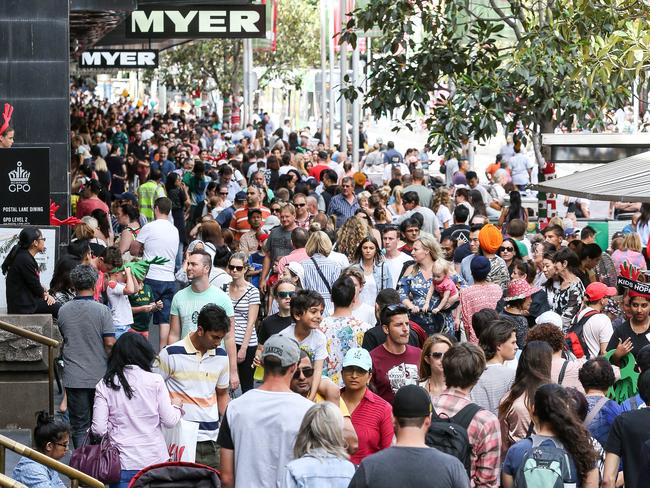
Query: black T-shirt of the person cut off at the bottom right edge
628, 434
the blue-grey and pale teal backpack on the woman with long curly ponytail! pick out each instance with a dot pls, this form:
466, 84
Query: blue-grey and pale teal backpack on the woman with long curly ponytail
545, 466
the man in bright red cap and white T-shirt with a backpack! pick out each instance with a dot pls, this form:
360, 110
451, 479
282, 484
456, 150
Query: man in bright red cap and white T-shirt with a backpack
598, 330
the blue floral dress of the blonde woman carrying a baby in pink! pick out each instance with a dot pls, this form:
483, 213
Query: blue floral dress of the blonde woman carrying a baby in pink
415, 288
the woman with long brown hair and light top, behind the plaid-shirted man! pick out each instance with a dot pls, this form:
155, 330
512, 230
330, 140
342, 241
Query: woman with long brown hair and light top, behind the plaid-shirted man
533, 371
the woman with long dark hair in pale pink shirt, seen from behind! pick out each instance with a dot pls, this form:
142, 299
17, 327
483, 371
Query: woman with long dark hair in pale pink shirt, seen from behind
131, 404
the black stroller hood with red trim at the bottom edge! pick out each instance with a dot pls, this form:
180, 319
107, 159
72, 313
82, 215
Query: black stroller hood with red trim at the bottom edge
176, 474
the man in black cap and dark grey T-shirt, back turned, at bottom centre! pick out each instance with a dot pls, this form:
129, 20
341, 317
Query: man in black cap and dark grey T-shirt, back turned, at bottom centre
410, 462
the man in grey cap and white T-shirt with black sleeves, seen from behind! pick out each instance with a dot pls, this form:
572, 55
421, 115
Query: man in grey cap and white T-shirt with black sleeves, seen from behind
259, 429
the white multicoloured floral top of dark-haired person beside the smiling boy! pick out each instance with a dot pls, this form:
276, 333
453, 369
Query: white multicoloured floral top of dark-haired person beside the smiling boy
341, 334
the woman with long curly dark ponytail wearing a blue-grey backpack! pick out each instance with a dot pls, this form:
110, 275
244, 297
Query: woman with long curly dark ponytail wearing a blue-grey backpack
557, 425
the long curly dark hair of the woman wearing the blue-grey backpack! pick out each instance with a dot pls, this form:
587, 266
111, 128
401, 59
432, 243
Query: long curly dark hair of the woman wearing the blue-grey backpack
555, 407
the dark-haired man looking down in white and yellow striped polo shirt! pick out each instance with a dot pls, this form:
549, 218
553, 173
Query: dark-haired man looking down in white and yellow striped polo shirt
196, 371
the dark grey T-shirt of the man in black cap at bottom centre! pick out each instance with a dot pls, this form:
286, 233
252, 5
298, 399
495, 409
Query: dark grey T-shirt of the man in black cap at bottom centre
410, 466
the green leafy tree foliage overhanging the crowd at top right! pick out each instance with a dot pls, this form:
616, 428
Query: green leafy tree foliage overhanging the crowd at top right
468, 66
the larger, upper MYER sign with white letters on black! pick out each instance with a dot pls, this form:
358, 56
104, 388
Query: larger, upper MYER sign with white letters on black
228, 21
